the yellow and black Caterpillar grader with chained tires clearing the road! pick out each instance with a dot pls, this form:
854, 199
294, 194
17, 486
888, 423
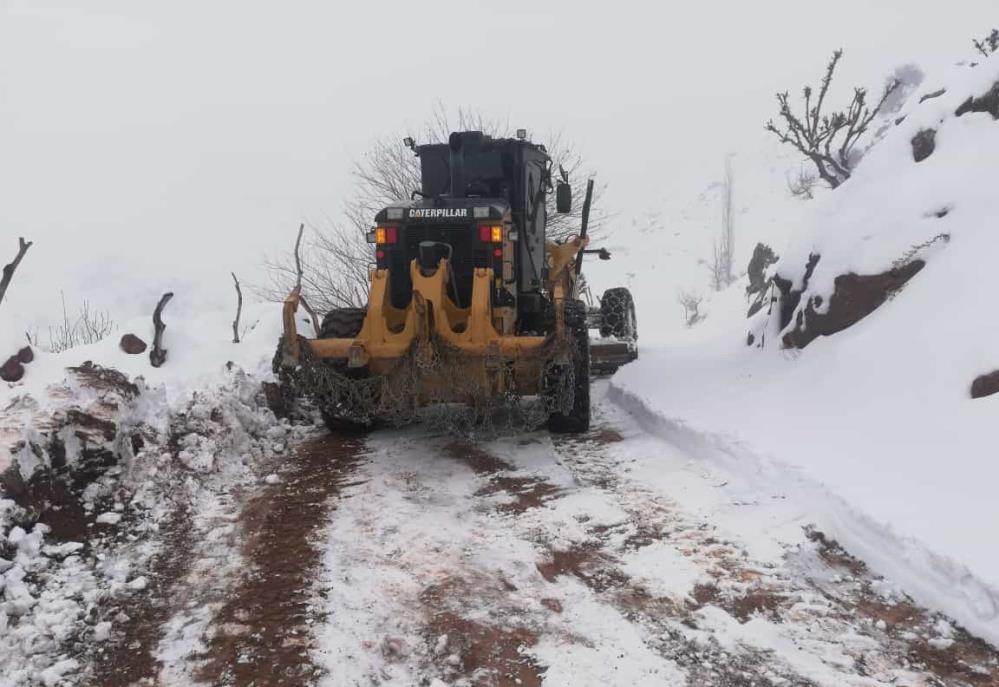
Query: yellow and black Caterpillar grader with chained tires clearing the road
470, 306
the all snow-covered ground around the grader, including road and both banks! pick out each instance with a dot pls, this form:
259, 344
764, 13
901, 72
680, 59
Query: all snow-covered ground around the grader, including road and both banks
740, 514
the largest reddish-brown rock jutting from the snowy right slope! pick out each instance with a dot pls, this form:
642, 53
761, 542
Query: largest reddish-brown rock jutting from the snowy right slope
854, 297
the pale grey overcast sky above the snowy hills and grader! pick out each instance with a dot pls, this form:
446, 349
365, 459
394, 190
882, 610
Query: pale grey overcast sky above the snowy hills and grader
153, 145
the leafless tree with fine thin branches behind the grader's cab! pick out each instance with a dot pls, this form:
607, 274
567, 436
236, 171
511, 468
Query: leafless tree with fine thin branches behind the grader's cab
336, 259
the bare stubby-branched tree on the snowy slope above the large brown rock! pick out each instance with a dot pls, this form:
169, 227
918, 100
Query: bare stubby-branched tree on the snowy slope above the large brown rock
828, 139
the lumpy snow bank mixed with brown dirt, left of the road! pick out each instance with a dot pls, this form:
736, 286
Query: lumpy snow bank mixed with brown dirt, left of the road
132, 451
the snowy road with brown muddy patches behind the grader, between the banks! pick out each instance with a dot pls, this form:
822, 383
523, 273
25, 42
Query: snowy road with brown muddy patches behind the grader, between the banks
406, 558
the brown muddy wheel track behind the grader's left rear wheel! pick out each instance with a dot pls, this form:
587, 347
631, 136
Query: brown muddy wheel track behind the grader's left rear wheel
261, 635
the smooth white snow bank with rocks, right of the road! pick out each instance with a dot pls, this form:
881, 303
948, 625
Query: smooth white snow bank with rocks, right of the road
879, 414
